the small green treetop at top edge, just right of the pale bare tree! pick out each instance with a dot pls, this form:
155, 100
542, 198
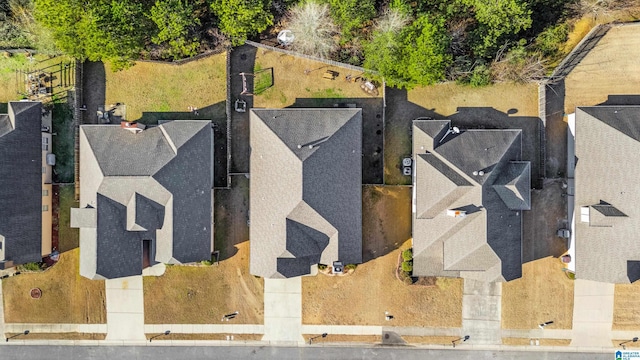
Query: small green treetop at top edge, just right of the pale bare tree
352, 14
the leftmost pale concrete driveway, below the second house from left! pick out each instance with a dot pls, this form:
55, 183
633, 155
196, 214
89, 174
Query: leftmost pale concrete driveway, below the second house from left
125, 309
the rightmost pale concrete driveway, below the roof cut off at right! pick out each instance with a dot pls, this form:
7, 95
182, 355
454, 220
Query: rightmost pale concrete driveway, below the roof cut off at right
592, 313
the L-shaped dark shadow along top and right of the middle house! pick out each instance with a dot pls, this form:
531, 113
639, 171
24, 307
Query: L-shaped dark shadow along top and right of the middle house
372, 130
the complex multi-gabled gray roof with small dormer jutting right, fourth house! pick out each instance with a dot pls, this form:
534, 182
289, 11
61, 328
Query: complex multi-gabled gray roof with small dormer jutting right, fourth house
486, 243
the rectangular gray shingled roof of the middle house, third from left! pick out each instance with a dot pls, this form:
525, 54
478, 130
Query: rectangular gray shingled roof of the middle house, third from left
306, 194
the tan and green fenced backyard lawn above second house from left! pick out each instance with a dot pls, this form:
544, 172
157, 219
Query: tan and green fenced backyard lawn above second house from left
152, 88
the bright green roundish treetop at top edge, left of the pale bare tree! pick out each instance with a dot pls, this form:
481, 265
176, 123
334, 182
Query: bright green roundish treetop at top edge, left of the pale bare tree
240, 19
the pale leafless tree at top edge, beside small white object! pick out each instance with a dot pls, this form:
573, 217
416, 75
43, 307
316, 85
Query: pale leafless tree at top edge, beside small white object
313, 28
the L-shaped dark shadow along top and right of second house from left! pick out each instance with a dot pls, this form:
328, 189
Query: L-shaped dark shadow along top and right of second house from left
211, 112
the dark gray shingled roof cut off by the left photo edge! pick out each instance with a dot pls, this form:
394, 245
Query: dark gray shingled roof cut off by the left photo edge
21, 182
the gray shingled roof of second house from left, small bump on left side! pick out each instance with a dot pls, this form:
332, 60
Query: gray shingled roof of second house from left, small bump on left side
154, 185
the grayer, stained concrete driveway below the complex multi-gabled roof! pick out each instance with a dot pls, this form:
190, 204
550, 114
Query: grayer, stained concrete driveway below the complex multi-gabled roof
481, 311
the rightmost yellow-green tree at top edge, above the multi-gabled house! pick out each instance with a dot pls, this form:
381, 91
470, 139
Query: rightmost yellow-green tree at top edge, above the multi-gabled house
497, 19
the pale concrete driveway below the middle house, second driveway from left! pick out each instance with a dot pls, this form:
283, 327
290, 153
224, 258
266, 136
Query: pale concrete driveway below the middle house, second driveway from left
283, 310
